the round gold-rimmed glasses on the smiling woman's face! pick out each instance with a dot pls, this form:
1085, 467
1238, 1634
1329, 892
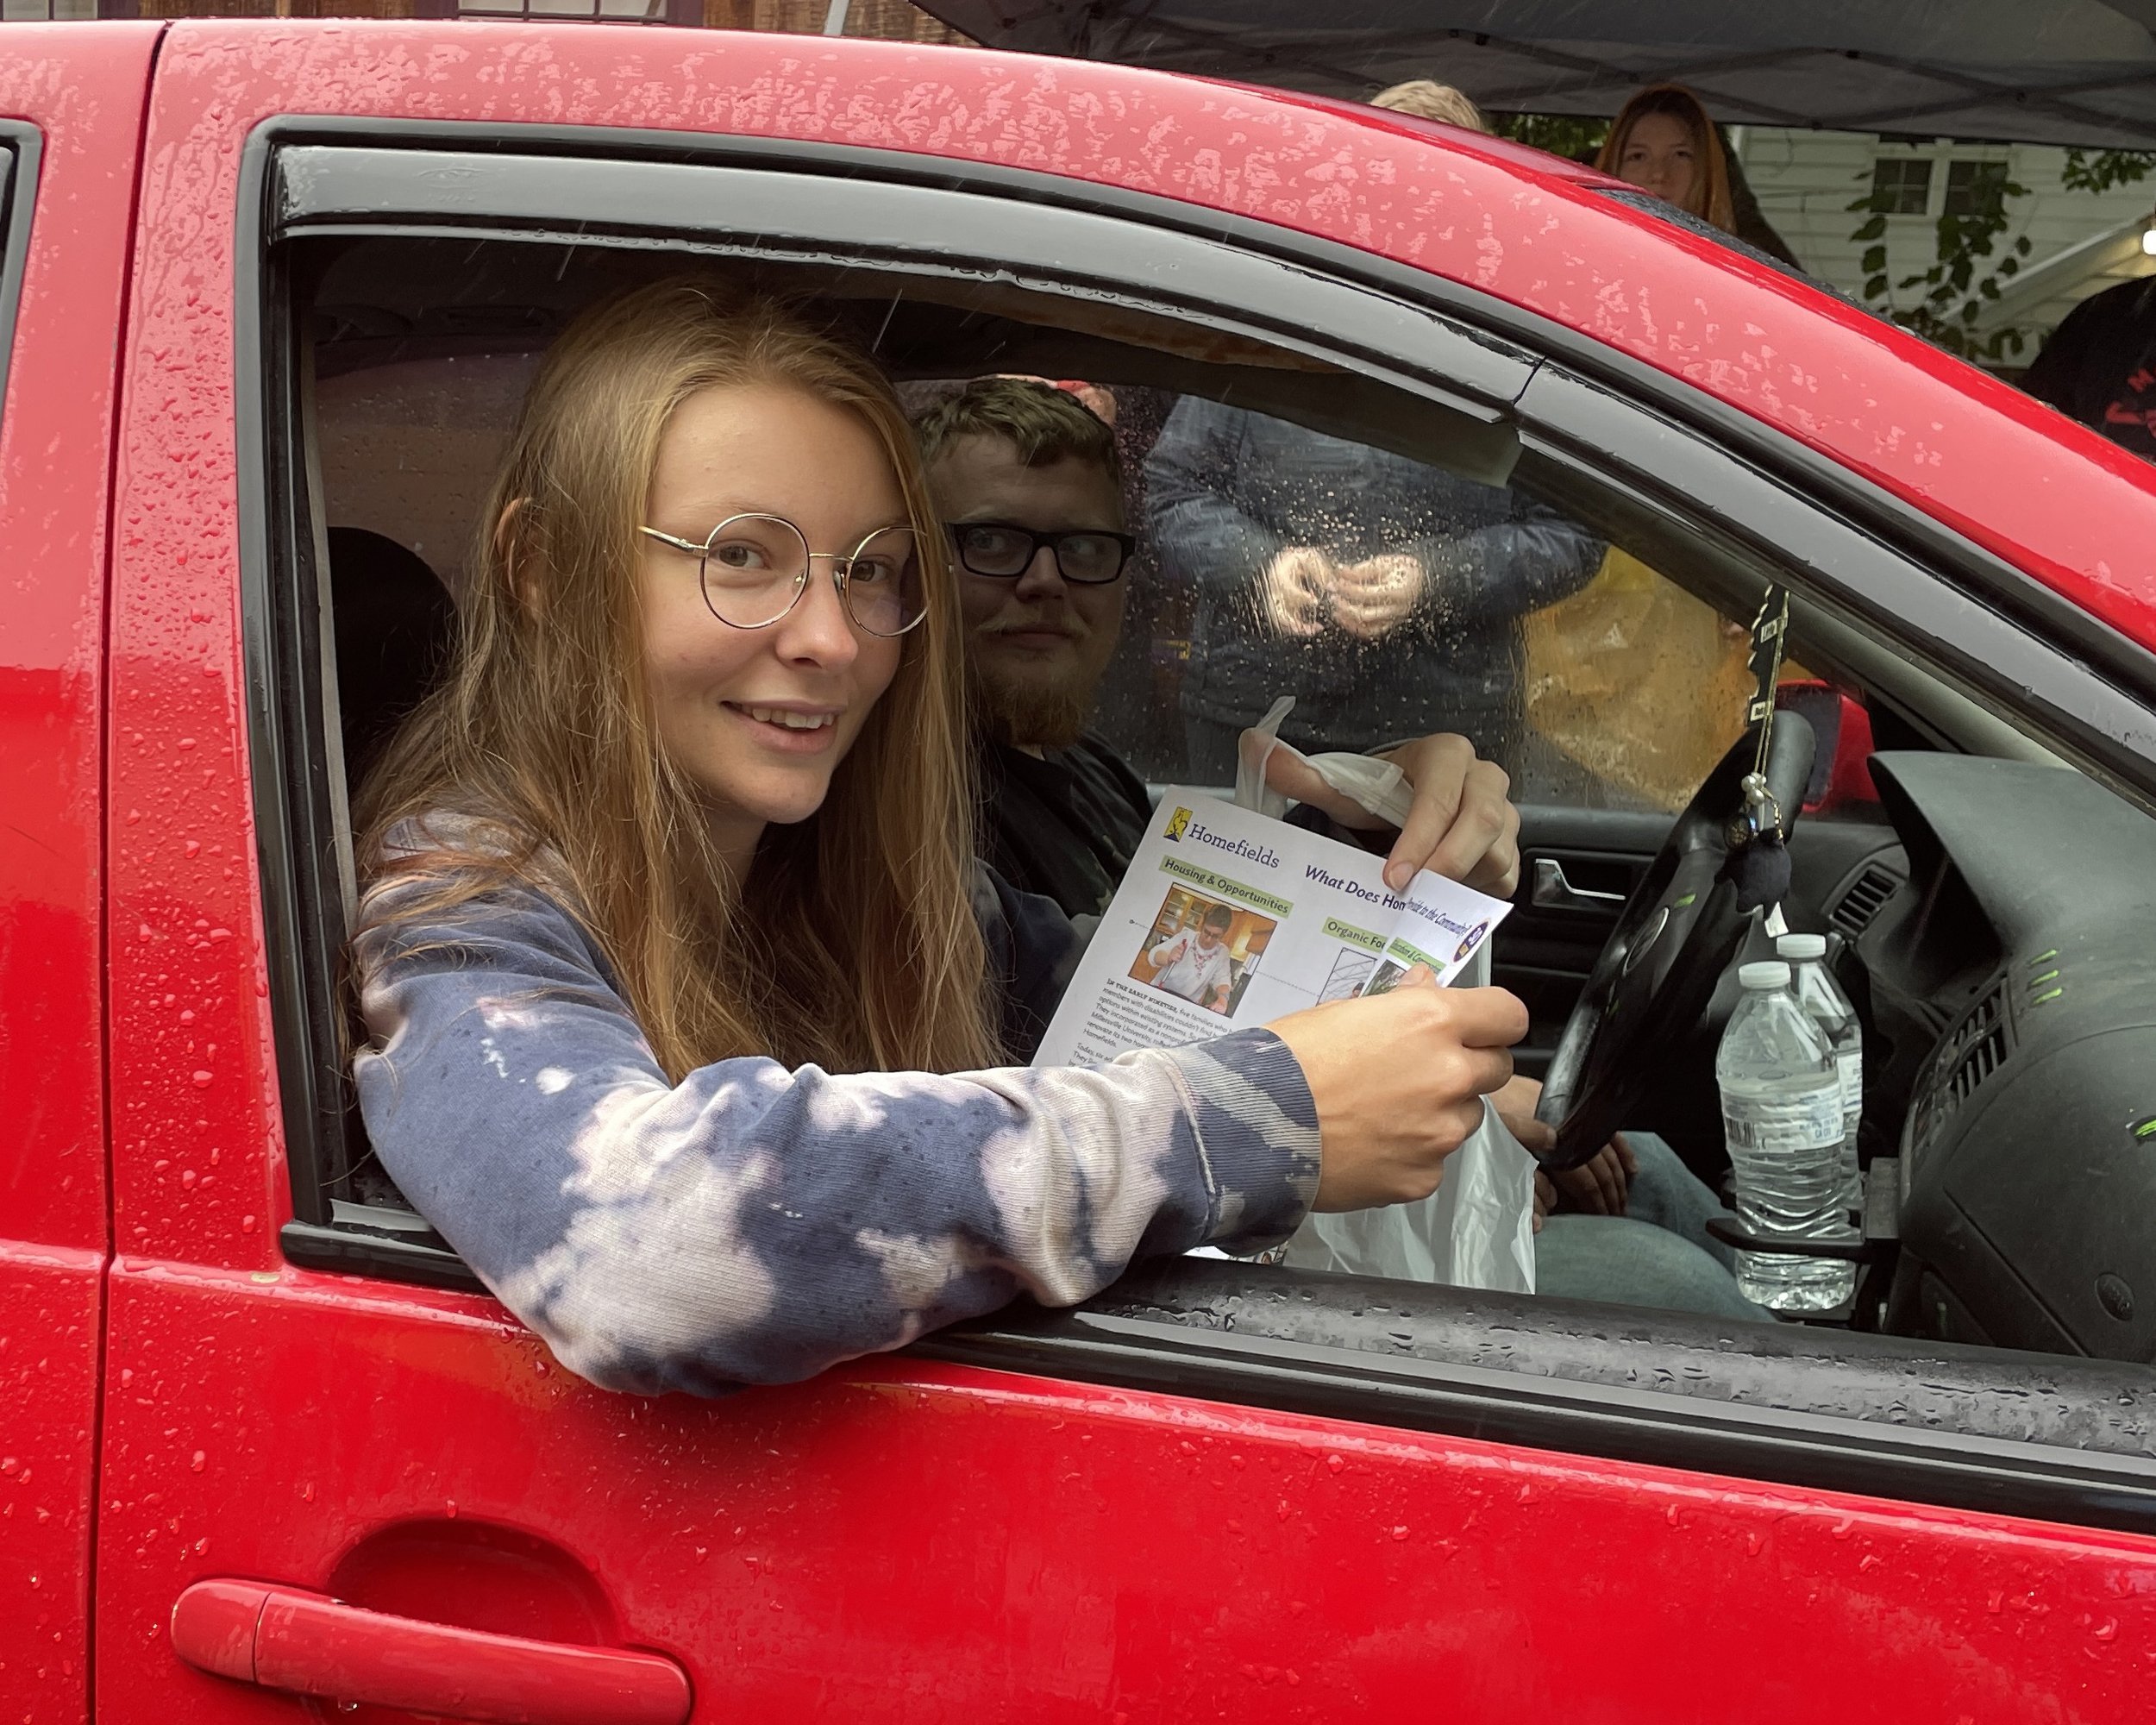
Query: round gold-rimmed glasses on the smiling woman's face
756, 570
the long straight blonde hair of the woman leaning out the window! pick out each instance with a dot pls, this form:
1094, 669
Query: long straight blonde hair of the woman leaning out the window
853, 939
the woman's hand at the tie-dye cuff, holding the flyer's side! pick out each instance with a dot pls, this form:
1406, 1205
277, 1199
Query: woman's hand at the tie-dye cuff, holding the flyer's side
1398, 1081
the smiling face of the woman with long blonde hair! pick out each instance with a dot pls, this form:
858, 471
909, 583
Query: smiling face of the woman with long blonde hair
760, 719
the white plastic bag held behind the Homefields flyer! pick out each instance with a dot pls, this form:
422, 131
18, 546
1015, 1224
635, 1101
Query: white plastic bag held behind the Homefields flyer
1478, 1230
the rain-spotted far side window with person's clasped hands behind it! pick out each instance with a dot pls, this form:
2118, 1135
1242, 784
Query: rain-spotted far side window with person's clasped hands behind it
1394, 598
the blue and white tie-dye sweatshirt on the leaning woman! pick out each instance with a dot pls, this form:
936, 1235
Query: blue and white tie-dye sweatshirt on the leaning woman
754, 1224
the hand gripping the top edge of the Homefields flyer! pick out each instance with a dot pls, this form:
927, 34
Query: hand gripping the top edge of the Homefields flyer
1463, 825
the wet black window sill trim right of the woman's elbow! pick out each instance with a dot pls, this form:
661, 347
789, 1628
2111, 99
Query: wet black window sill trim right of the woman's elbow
1487, 1368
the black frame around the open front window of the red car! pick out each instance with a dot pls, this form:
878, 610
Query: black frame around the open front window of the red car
1573, 404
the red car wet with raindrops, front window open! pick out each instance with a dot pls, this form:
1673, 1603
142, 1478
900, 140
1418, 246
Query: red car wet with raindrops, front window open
273, 290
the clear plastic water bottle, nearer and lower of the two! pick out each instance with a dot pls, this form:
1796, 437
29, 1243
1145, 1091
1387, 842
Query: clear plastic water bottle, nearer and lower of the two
1782, 1109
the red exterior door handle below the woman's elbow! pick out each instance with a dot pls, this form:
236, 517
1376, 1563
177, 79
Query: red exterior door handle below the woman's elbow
309, 1644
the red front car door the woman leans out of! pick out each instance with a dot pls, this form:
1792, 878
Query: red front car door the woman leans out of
324, 1476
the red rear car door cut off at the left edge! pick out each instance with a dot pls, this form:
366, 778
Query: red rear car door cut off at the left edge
70, 124
